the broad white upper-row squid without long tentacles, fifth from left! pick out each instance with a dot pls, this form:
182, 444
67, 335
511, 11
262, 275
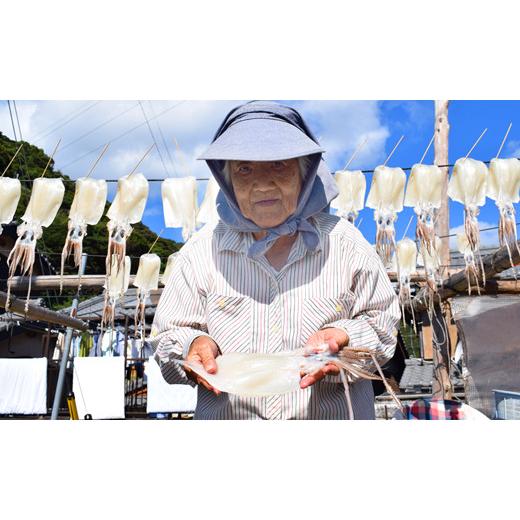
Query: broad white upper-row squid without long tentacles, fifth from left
179, 196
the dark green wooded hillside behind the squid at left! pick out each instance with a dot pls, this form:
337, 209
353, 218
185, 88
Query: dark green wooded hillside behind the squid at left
30, 164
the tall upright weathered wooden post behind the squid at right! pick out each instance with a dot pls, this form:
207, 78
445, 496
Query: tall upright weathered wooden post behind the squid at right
441, 387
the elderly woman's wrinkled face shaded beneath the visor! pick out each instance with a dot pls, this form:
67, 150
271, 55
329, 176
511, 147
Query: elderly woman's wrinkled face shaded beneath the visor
266, 191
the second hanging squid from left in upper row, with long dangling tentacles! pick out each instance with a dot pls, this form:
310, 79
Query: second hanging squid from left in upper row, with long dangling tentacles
46, 199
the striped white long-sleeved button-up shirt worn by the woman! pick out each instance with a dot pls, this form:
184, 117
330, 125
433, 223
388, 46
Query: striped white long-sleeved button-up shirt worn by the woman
246, 305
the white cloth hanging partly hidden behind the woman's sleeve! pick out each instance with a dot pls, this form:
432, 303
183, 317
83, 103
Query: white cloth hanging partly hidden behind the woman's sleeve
163, 397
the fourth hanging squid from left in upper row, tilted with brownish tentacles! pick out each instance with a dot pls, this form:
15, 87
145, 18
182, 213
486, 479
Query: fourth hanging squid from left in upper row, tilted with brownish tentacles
127, 208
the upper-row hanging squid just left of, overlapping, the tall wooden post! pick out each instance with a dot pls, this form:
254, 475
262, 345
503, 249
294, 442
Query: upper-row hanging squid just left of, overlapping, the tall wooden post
423, 193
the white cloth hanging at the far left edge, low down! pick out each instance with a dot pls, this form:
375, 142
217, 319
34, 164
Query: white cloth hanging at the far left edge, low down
23, 386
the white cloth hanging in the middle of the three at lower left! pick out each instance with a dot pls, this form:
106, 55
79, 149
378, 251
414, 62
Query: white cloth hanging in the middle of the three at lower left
98, 384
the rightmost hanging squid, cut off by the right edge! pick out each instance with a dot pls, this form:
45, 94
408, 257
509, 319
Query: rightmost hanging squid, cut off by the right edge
504, 188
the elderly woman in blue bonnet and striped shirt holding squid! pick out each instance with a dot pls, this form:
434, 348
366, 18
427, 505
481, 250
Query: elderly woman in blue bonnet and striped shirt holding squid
276, 273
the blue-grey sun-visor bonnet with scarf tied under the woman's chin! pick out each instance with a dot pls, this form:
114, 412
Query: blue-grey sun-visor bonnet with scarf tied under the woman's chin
264, 131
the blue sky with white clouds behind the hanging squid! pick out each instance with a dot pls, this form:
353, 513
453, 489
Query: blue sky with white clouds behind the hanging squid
85, 126
